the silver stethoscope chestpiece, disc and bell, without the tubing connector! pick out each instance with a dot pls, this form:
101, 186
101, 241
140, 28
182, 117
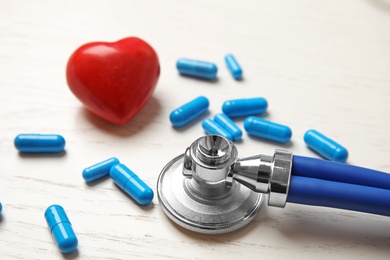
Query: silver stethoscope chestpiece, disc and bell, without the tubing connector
194, 192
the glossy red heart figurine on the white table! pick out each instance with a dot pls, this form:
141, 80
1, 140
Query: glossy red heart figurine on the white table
114, 80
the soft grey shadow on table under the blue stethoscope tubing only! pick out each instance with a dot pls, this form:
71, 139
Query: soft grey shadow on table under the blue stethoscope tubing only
333, 226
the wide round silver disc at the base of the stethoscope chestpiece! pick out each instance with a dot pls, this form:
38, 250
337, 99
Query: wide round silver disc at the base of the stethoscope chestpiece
227, 212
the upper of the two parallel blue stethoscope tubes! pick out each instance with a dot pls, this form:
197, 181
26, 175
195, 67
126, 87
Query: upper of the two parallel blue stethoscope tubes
339, 172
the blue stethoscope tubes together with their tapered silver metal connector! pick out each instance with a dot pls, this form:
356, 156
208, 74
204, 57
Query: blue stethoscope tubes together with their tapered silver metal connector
315, 182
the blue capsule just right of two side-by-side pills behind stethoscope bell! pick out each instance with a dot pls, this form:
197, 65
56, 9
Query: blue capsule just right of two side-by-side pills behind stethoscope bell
268, 130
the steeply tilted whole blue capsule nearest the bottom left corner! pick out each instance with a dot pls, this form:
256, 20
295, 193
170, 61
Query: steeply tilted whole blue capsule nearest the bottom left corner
61, 229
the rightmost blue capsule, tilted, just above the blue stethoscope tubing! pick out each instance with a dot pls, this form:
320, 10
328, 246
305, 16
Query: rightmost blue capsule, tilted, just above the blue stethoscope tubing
325, 146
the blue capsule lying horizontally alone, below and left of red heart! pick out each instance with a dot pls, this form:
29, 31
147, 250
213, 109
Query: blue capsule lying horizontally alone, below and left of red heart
39, 143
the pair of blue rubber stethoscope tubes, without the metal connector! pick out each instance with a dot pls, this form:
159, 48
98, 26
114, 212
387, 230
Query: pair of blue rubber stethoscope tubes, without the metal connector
330, 184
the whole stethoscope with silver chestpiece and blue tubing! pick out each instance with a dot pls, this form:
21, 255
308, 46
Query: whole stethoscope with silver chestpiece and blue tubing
209, 189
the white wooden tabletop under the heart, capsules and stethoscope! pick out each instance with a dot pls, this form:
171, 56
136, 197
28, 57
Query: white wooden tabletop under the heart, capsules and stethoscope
320, 64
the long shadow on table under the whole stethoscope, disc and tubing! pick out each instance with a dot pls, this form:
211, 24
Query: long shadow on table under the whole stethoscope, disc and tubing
312, 230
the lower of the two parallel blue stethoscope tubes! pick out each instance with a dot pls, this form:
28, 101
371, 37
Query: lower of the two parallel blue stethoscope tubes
316, 192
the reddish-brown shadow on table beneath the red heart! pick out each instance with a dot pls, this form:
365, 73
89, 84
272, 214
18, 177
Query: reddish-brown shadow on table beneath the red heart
147, 114
